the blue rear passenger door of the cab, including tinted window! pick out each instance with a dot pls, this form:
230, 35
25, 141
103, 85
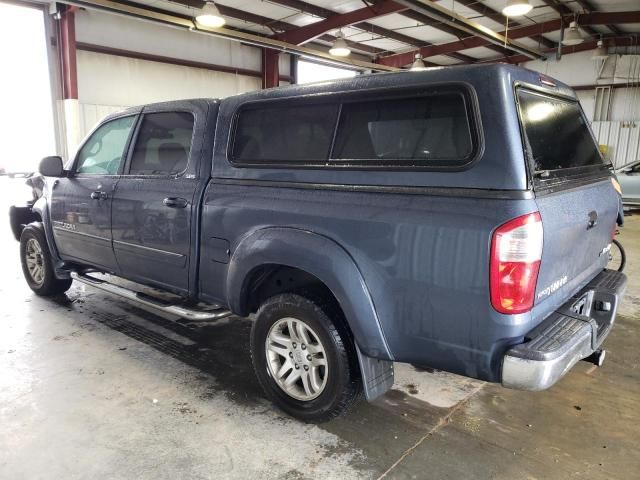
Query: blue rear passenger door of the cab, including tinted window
153, 202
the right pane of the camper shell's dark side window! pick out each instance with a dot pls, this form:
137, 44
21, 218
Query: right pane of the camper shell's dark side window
432, 130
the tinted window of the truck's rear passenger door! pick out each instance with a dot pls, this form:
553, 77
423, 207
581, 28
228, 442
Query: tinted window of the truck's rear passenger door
163, 144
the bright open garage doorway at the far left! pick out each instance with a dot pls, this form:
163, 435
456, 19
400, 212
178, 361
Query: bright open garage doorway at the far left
26, 121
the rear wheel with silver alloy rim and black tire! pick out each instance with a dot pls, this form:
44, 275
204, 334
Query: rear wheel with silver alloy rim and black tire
330, 389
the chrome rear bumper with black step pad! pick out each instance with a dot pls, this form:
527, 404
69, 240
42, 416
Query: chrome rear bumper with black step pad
570, 334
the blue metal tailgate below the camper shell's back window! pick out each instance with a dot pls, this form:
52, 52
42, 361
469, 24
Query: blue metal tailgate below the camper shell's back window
578, 225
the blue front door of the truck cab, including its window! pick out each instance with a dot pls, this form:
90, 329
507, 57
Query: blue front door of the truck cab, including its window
81, 202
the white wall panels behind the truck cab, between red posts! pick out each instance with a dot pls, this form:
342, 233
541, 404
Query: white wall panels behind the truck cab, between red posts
107, 83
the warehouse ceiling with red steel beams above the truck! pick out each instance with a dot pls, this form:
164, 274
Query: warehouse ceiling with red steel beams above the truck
445, 32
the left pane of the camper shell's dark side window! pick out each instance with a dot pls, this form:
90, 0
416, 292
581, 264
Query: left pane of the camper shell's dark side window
272, 134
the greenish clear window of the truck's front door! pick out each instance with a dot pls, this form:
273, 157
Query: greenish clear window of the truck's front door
102, 153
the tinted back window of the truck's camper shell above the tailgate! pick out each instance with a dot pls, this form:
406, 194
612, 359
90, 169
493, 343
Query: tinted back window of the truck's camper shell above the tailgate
557, 137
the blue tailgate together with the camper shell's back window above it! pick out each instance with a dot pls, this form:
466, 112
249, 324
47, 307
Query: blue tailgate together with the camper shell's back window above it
574, 192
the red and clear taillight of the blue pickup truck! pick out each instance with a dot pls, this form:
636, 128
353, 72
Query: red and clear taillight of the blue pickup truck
516, 251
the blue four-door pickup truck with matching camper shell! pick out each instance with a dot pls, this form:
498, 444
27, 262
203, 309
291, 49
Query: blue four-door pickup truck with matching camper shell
455, 218
